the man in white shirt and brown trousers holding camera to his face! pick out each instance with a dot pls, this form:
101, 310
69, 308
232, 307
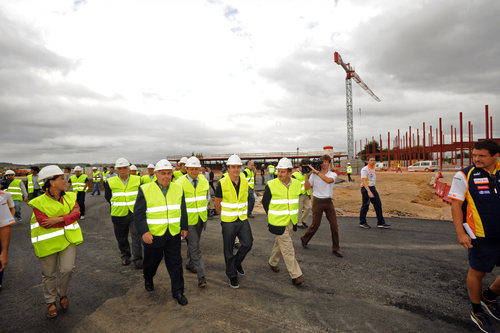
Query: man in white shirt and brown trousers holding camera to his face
322, 183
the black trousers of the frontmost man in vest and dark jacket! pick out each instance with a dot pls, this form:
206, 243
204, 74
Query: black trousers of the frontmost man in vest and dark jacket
171, 251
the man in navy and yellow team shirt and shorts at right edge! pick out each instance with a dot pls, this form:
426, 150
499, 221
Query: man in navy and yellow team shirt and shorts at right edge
475, 209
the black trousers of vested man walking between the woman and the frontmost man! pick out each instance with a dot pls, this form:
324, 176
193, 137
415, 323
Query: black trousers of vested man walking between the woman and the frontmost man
121, 226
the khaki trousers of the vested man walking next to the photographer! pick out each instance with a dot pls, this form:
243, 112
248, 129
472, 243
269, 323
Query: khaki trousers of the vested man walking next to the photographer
283, 247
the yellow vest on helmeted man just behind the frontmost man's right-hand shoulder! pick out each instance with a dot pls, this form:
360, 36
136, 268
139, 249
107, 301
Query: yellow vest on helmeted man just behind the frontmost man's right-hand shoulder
196, 198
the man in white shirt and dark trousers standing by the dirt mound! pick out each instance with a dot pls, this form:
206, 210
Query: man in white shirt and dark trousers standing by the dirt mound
369, 194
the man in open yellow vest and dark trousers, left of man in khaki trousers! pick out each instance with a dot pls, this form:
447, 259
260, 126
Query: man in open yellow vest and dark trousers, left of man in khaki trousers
231, 202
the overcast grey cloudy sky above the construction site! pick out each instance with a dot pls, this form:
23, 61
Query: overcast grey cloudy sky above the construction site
93, 80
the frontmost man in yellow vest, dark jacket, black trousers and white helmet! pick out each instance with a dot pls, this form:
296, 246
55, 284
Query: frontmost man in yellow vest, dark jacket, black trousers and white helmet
161, 218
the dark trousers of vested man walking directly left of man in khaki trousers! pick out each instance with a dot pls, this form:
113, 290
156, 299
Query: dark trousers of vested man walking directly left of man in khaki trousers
229, 232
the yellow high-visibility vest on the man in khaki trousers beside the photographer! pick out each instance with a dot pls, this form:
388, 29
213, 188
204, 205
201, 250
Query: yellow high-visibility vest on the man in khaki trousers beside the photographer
284, 204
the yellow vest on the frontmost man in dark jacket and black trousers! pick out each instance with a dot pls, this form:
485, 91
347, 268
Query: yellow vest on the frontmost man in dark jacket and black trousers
163, 212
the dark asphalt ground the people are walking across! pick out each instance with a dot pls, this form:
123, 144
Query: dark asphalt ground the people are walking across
407, 279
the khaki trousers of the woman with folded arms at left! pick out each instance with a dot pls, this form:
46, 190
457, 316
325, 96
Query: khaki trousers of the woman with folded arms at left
65, 259
